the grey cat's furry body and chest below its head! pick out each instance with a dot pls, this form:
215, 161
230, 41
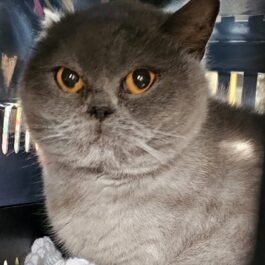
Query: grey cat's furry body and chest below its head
199, 210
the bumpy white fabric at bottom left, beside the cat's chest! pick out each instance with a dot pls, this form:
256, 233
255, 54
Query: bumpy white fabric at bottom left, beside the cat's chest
43, 252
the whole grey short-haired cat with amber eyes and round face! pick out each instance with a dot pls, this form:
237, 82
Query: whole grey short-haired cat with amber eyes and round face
140, 166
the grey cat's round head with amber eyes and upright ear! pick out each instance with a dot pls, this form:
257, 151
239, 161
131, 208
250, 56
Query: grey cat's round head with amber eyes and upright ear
120, 85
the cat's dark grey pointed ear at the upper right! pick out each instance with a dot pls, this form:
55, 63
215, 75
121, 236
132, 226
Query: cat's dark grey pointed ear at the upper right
193, 24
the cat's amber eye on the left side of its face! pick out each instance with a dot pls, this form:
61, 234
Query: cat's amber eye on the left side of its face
68, 80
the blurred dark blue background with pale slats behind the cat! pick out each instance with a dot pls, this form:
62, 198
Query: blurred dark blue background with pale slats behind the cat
235, 60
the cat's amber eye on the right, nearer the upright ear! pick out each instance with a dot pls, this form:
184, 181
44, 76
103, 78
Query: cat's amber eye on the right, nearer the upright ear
138, 81
